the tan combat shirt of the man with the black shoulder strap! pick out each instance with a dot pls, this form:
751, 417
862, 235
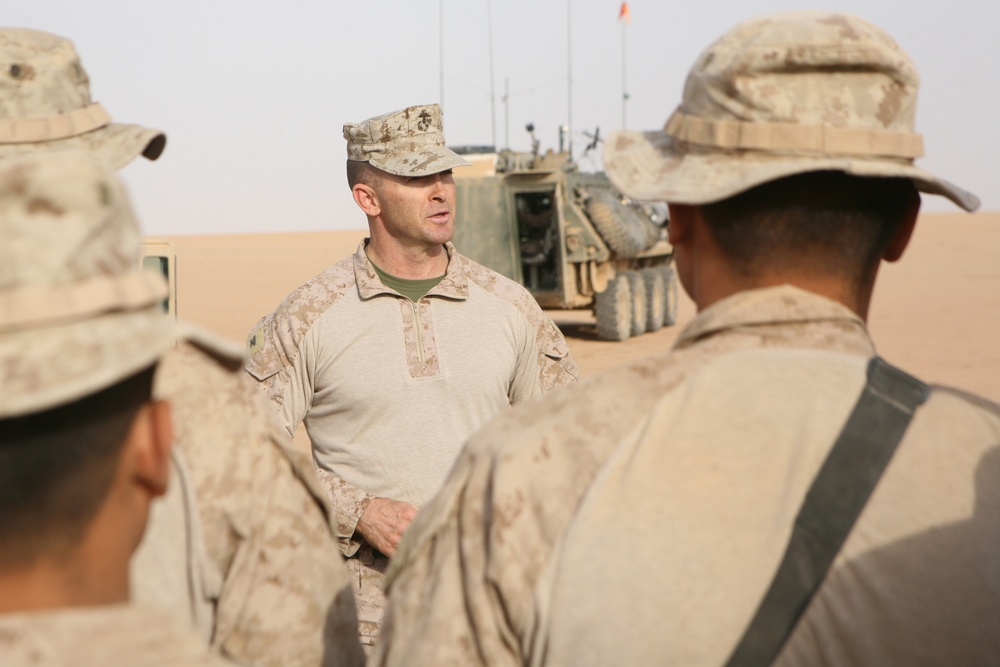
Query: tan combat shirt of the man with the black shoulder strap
638, 518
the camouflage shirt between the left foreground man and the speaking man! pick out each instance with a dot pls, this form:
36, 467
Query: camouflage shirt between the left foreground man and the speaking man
260, 546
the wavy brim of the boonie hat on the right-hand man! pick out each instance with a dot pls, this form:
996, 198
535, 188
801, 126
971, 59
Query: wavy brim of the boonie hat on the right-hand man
652, 166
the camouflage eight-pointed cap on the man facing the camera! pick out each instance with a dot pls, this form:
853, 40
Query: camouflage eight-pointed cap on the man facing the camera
405, 143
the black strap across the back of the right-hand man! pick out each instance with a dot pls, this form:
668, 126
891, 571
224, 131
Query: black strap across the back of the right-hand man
832, 505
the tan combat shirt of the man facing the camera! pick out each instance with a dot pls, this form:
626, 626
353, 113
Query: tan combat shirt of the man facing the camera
389, 389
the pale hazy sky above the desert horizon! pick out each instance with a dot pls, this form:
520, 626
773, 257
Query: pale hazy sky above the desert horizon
253, 94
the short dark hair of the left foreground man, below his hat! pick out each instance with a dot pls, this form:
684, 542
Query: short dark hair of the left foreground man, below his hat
56, 467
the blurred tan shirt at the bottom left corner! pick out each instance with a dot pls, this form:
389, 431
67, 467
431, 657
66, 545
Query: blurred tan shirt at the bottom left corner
109, 636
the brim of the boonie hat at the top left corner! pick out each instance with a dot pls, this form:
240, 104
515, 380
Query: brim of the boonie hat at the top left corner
116, 144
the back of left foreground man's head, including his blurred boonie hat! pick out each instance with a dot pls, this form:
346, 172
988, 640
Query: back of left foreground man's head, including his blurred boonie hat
81, 326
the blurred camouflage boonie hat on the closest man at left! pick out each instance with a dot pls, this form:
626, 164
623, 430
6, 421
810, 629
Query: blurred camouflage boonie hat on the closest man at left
76, 312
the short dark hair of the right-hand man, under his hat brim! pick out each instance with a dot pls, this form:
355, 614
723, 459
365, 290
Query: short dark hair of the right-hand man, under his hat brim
822, 223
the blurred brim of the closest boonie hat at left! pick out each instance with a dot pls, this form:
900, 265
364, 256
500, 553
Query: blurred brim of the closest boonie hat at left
51, 366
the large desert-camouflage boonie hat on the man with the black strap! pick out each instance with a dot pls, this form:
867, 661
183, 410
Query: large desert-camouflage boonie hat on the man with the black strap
777, 96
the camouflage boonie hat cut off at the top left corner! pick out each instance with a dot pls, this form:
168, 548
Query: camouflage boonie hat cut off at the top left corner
45, 104
